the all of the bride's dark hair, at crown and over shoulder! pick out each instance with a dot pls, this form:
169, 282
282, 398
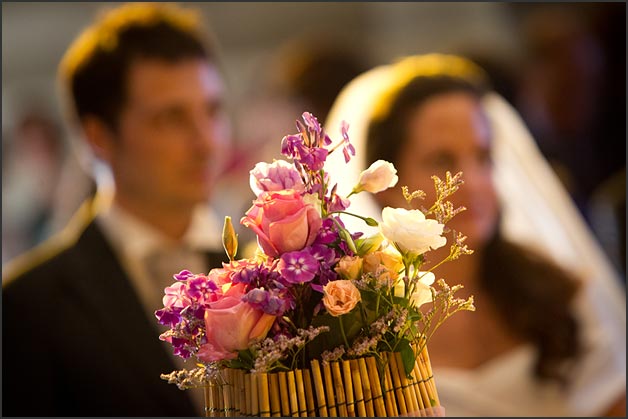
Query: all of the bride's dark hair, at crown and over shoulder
531, 294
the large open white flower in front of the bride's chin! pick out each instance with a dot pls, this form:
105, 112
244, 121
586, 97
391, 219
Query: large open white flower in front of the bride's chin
410, 231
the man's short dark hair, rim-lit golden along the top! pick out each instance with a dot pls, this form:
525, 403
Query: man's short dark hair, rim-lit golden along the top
94, 71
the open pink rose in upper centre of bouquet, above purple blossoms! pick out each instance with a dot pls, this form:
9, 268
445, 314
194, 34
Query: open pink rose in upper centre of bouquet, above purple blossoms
283, 222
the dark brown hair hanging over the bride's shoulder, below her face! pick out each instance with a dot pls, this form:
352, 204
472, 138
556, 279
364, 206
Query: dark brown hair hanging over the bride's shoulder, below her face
534, 297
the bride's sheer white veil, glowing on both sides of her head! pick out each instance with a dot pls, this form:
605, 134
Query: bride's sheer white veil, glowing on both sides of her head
537, 211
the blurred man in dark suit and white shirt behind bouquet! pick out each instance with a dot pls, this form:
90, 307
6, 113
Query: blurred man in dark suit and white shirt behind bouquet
79, 333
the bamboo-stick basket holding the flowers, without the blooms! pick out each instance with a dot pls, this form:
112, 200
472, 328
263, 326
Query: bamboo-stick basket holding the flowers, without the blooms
348, 388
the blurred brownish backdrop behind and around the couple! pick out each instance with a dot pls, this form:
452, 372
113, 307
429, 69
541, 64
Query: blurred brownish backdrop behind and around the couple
562, 65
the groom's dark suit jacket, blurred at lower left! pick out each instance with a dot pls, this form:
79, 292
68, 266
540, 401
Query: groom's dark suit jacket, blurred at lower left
76, 340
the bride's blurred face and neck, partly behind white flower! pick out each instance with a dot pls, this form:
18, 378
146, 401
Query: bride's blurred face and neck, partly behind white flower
449, 132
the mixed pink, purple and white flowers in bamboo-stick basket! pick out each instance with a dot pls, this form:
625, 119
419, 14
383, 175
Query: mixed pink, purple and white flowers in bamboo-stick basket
318, 307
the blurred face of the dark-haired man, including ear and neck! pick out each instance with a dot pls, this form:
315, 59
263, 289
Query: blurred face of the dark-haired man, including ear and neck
172, 134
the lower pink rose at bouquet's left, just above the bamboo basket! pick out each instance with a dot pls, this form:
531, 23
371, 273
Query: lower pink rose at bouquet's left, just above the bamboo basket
232, 325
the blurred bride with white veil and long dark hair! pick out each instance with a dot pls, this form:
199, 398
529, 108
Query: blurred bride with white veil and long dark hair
548, 335
